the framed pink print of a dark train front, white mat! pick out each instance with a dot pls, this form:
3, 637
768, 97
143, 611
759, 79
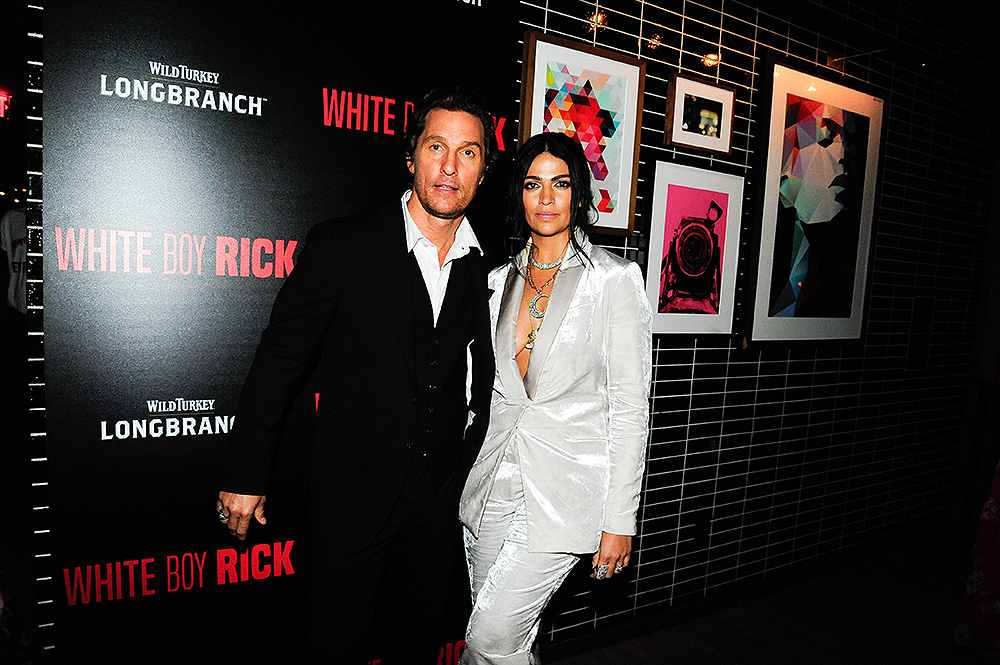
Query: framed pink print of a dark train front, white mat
694, 244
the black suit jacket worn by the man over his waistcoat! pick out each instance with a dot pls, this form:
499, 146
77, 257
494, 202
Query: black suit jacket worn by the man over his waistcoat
348, 306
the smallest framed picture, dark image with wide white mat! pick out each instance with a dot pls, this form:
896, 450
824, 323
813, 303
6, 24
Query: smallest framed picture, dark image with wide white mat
699, 115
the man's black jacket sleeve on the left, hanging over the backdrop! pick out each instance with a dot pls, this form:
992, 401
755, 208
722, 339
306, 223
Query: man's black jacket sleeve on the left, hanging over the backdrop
288, 349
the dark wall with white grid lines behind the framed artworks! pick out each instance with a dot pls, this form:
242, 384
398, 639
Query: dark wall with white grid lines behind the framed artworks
768, 460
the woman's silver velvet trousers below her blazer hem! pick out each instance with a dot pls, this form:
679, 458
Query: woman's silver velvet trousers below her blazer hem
510, 585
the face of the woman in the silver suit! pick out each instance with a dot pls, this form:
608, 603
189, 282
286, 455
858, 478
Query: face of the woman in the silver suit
548, 197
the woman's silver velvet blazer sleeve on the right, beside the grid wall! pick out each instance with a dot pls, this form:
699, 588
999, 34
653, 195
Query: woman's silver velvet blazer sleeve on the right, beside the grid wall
629, 337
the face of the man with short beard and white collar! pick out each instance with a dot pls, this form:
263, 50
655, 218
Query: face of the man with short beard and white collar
447, 164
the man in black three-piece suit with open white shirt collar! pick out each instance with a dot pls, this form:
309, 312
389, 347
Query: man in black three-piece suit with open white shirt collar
393, 305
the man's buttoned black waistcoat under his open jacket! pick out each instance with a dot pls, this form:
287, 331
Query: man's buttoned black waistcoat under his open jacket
441, 368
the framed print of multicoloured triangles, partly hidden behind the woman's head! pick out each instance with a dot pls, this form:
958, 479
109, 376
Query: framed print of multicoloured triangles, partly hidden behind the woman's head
594, 95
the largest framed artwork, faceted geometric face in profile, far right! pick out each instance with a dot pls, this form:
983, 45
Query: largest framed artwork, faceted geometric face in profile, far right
817, 202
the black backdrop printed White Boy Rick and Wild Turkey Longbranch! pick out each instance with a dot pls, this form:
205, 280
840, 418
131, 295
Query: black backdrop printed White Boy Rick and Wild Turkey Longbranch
187, 150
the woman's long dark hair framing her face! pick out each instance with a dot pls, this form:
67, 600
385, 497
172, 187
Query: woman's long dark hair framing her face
567, 149
